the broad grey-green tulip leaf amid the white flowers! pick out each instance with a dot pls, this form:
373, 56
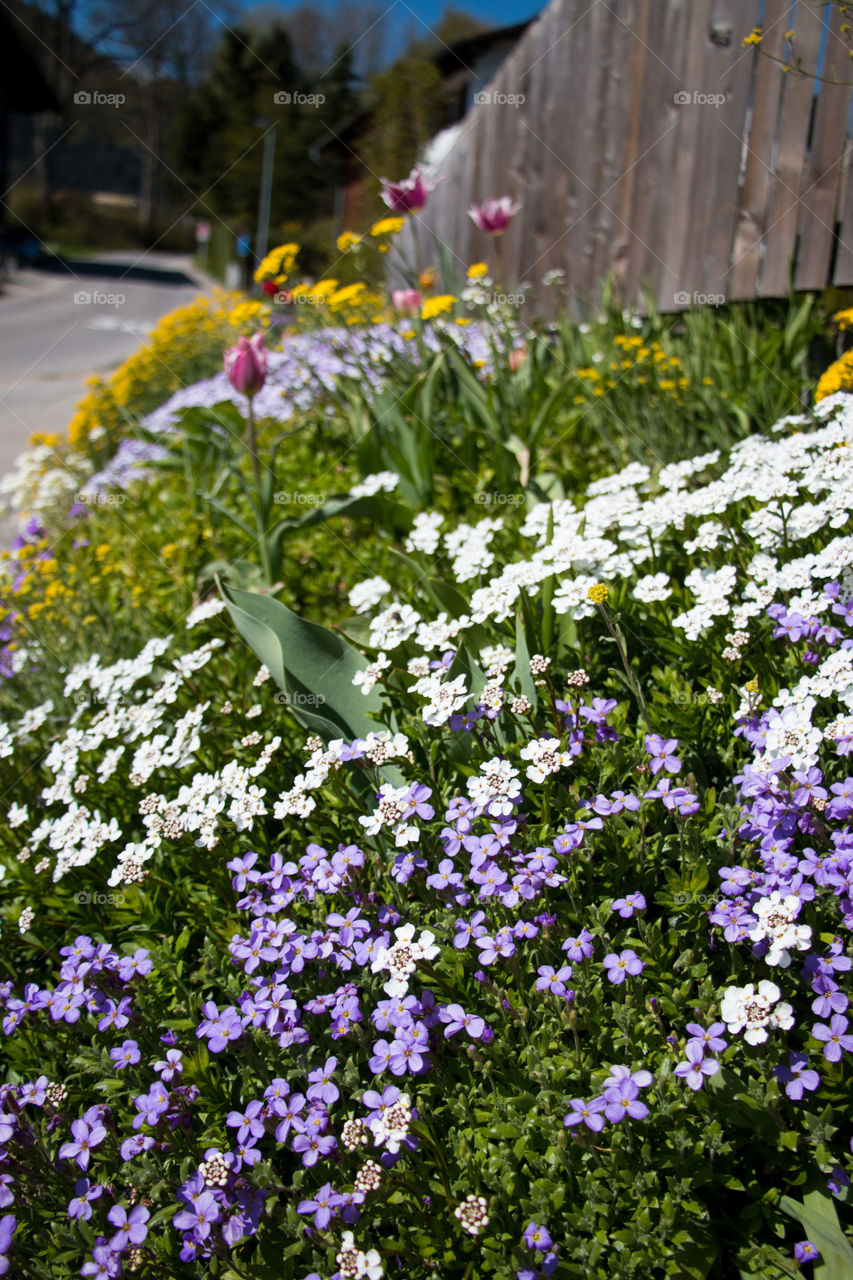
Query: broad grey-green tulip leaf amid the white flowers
313, 665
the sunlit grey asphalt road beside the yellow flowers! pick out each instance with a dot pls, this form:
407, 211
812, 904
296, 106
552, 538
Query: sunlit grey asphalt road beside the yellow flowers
58, 328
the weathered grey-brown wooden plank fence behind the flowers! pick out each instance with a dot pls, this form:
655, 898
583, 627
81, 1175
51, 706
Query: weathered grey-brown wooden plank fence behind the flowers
646, 143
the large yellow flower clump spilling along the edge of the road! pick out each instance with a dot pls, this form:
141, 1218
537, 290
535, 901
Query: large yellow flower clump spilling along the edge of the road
186, 346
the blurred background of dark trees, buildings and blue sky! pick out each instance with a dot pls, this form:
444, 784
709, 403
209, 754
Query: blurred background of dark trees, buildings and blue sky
159, 125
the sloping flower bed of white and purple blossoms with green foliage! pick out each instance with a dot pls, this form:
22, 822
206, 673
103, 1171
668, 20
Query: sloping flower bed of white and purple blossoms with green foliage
499, 930
